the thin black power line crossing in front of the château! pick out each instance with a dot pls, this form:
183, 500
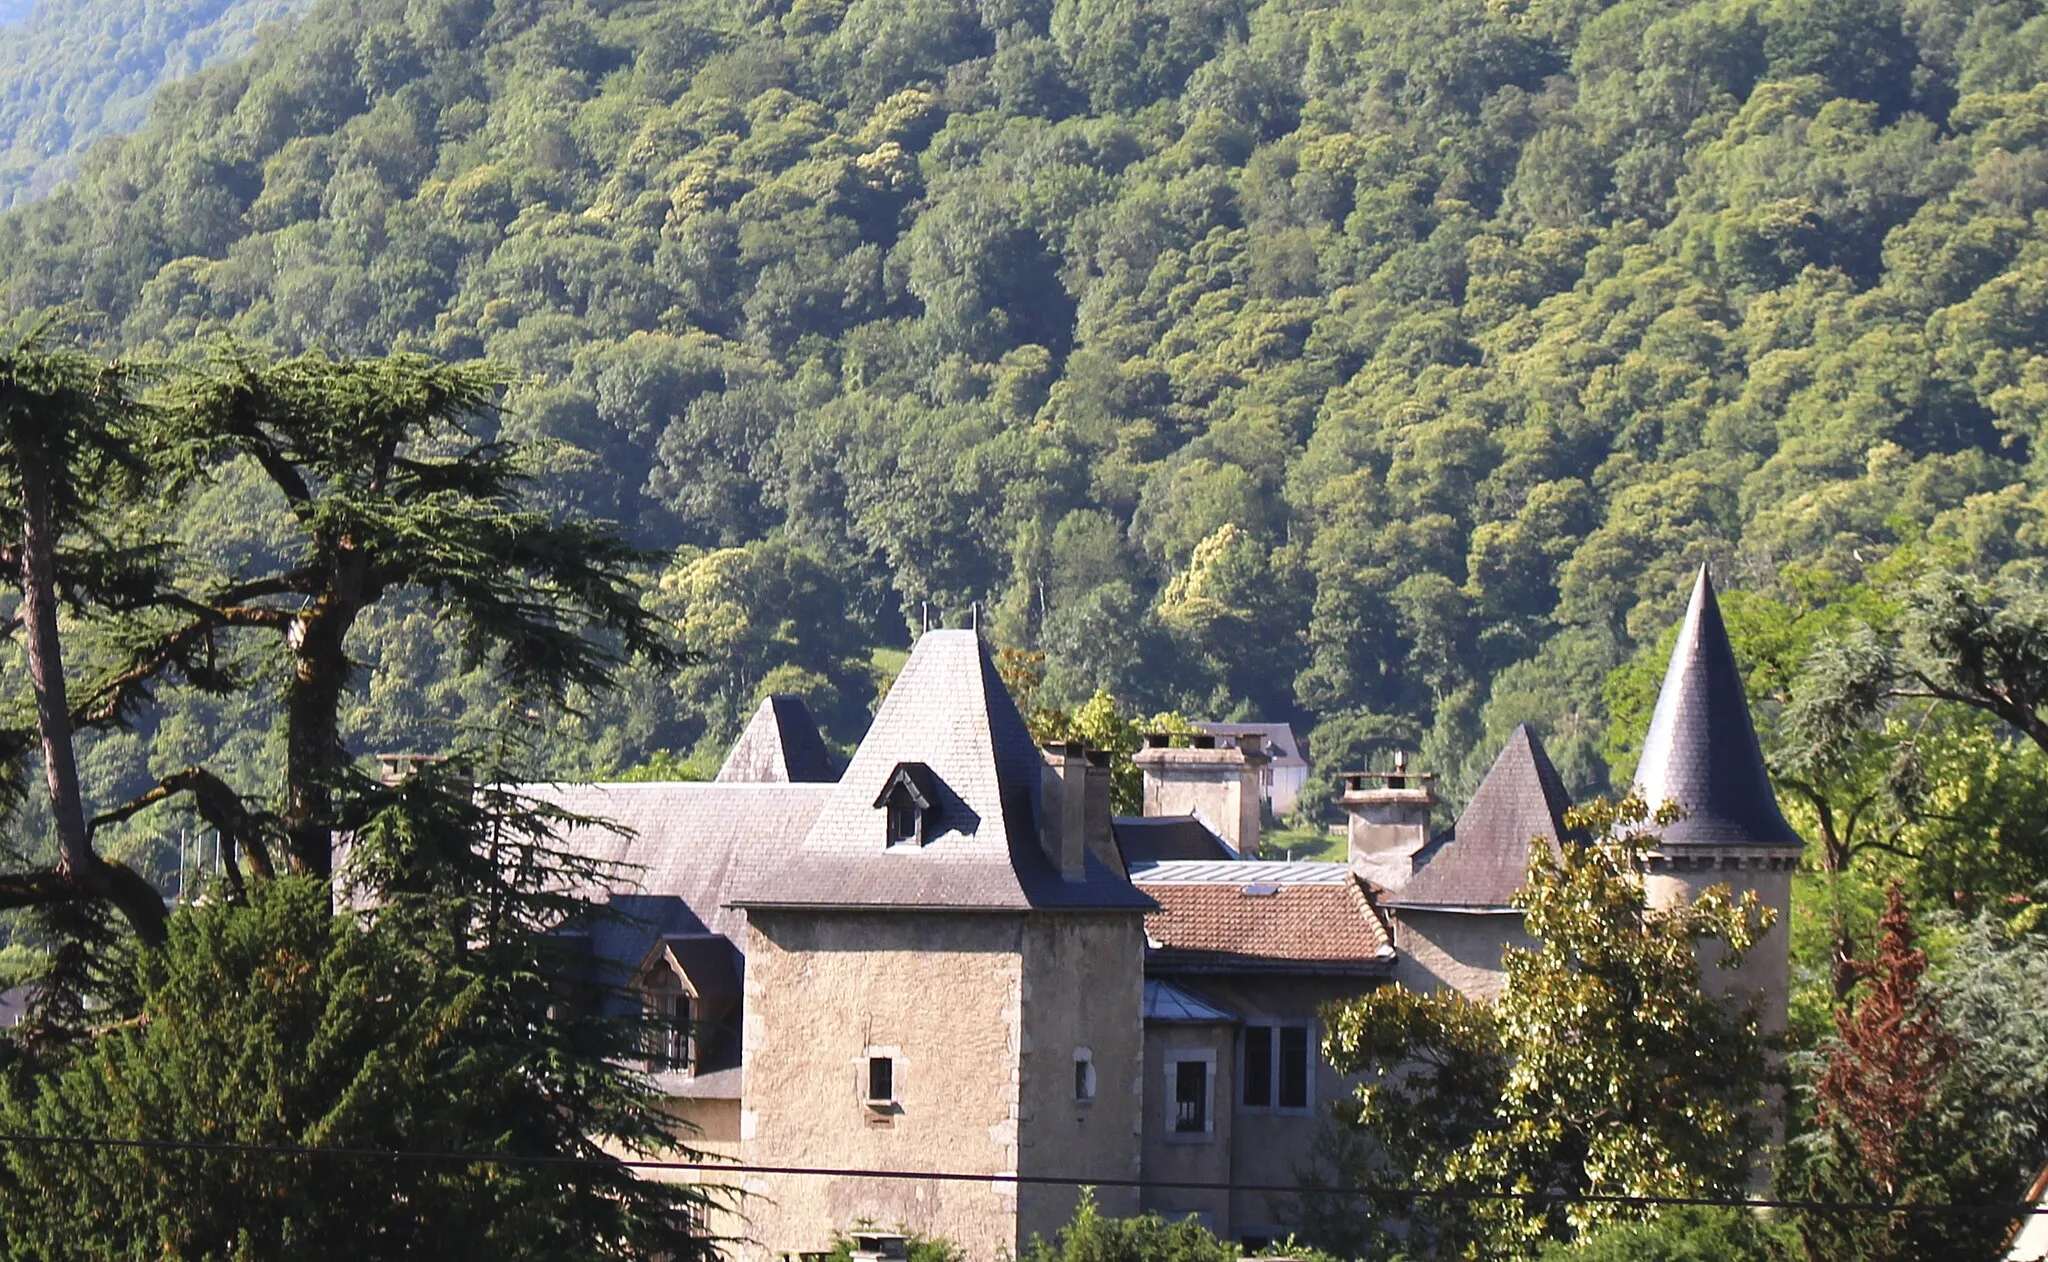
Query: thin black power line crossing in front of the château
716, 1167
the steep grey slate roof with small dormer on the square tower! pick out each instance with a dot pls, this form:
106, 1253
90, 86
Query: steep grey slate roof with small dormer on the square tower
949, 712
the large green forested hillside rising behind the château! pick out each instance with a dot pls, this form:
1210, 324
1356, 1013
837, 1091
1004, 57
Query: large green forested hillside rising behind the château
1383, 366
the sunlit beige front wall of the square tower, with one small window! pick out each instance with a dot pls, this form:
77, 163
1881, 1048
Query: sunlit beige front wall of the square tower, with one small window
943, 995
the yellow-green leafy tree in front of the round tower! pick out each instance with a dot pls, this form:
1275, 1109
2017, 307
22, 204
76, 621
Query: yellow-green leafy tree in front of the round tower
1564, 1085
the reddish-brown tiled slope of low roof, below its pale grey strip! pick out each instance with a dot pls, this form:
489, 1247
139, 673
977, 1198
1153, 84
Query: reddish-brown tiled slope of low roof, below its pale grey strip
1279, 929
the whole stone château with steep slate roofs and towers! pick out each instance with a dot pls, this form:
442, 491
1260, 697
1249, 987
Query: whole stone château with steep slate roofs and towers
951, 958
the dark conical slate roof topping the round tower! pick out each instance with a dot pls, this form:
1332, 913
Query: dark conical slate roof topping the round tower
1703, 751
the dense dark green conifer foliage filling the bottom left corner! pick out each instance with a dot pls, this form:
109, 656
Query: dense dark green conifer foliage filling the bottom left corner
431, 1025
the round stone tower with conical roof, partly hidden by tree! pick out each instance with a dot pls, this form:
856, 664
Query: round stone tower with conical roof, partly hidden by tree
1703, 753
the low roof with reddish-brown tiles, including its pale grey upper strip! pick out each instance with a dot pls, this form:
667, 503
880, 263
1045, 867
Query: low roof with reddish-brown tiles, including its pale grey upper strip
1263, 919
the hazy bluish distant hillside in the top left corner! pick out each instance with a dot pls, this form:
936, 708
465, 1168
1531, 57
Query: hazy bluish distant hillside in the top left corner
77, 71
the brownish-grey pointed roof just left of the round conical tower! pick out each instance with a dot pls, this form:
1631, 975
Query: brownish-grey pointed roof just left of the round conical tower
1486, 857
